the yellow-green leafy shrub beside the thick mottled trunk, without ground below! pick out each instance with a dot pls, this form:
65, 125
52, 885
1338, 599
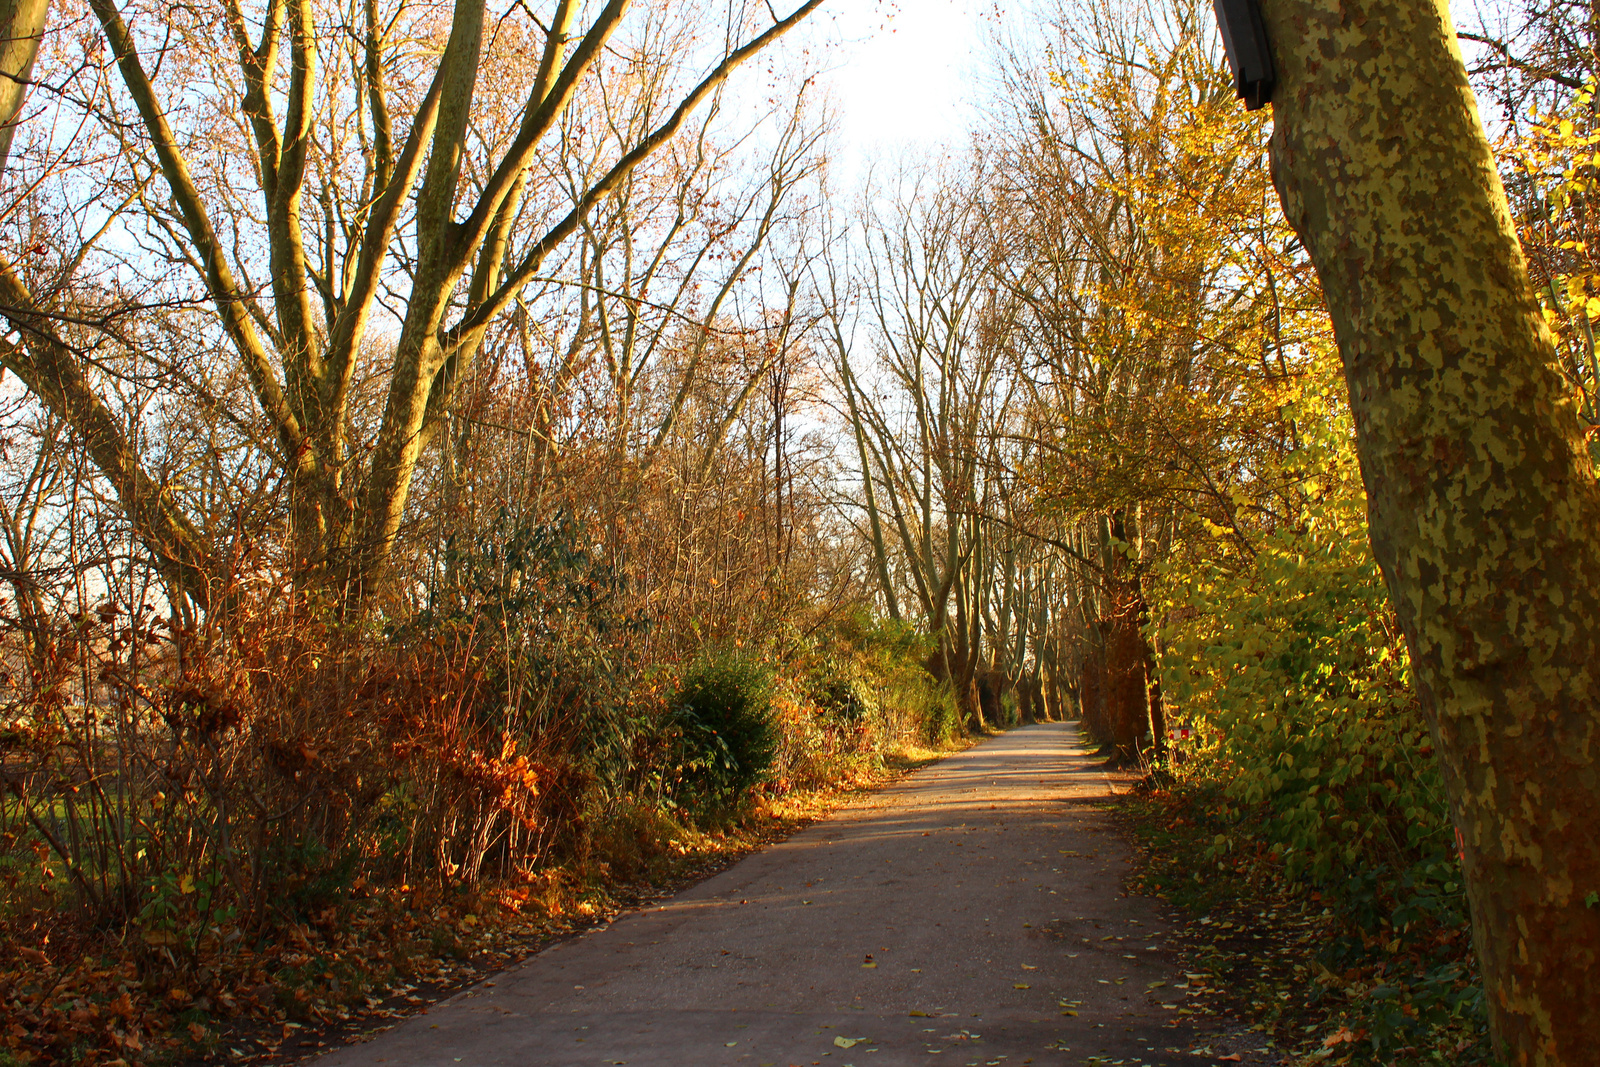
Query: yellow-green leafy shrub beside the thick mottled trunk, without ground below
1298, 676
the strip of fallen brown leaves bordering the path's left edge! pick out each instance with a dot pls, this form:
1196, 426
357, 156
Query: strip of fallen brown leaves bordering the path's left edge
372, 953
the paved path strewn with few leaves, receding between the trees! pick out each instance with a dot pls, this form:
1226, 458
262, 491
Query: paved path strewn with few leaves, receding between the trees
951, 919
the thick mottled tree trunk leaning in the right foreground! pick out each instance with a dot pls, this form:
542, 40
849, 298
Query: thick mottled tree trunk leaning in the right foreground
1484, 508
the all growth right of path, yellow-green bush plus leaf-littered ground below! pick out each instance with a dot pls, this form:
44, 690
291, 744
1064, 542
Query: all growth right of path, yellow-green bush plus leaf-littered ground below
1306, 802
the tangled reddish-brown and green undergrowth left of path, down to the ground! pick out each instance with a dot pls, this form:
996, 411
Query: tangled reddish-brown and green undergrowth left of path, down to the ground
217, 839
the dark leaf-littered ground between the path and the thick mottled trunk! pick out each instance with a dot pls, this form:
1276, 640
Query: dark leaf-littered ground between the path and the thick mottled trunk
1294, 959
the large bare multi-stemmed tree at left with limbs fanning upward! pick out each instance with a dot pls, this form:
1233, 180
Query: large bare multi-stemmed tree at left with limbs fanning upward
439, 230
